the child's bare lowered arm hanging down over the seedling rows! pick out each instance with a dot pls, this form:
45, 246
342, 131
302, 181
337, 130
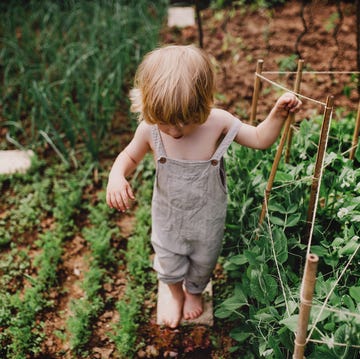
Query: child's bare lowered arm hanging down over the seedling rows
119, 192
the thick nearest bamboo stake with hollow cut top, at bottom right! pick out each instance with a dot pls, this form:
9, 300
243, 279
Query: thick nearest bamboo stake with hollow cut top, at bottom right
306, 296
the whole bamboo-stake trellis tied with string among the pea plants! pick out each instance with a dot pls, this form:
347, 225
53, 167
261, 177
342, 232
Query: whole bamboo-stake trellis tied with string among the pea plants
309, 277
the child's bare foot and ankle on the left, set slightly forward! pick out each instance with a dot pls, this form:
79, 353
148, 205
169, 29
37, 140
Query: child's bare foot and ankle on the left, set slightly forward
172, 314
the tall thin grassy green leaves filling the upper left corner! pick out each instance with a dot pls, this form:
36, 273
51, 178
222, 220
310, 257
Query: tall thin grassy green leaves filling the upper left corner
65, 65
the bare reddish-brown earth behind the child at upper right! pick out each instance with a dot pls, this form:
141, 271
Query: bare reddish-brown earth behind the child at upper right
321, 33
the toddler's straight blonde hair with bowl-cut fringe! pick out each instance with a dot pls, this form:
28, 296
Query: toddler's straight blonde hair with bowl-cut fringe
174, 85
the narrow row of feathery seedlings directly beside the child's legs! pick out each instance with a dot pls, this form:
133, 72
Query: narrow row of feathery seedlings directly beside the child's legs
142, 281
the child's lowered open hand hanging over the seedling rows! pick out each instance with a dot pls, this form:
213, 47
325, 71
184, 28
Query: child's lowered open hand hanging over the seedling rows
119, 194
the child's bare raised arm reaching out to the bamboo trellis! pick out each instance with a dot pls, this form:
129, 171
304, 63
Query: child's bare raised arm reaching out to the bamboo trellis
266, 133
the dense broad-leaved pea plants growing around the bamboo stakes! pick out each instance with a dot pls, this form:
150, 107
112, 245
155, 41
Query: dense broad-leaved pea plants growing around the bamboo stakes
264, 265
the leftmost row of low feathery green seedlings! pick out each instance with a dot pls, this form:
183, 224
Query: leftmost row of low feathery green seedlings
22, 333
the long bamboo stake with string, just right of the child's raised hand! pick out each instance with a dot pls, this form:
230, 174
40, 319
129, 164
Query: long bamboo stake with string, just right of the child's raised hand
318, 164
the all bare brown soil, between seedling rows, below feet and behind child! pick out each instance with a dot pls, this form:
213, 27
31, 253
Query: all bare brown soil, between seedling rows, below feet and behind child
324, 36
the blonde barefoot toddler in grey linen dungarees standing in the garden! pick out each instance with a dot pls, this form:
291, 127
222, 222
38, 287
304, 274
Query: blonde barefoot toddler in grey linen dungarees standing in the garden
173, 94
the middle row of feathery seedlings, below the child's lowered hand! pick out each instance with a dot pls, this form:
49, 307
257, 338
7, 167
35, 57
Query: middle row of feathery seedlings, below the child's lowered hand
101, 264
